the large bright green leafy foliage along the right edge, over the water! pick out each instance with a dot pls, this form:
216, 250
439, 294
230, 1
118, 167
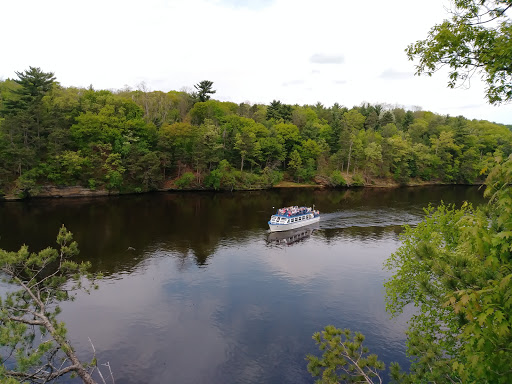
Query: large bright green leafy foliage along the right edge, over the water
456, 268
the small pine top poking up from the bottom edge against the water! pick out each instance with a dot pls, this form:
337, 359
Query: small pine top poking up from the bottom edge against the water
344, 358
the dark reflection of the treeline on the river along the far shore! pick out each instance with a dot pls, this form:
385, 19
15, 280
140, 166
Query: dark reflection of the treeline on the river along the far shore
189, 224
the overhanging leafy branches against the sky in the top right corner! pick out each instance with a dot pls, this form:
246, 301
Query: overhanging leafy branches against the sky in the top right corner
477, 39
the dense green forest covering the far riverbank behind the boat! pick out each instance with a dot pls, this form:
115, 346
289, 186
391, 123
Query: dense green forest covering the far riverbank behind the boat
139, 140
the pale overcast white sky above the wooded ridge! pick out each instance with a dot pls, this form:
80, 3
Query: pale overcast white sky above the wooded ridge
256, 51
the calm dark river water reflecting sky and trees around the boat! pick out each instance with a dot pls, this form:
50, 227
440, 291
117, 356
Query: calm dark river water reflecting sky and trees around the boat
206, 296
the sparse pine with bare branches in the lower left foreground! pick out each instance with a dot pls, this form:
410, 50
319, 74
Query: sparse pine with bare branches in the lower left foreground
33, 343
